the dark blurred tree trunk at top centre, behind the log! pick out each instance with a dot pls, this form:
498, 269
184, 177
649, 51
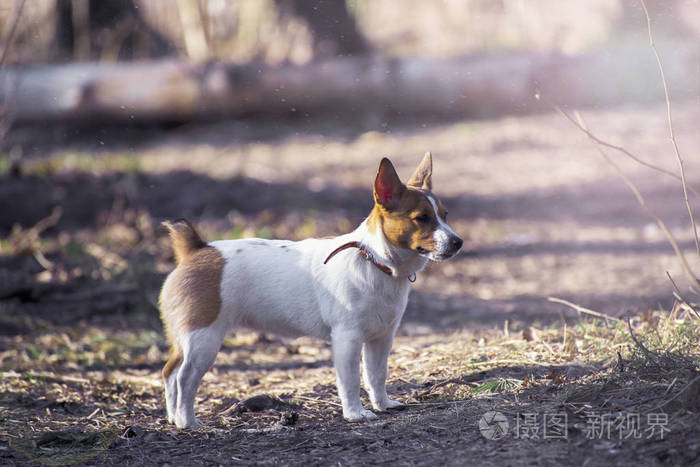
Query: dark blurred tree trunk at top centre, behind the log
333, 28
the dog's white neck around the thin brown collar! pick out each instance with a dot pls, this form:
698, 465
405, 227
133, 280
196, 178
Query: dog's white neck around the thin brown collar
402, 262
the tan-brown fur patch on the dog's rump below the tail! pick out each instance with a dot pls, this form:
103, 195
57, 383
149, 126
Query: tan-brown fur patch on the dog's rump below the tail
191, 296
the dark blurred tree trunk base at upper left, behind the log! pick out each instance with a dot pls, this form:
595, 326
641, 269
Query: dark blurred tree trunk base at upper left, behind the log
105, 30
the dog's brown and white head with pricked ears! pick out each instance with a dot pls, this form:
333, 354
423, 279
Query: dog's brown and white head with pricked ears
410, 216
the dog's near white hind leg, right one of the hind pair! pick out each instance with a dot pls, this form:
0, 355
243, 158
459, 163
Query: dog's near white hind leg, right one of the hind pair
199, 353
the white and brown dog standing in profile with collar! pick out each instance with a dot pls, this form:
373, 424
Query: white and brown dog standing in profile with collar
351, 290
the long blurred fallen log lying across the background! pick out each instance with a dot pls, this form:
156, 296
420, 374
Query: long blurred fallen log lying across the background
479, 86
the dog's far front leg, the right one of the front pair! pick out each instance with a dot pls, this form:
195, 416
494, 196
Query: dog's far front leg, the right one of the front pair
374, 358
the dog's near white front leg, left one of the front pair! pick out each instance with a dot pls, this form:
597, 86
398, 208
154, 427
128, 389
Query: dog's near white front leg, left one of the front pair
347, 347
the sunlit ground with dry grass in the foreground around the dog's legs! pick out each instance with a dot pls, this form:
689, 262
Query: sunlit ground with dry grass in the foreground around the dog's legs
72, 393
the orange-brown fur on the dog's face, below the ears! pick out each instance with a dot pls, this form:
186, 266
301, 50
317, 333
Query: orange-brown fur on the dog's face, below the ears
404, 226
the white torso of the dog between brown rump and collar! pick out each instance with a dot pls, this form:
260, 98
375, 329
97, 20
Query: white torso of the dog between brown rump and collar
284, 287
